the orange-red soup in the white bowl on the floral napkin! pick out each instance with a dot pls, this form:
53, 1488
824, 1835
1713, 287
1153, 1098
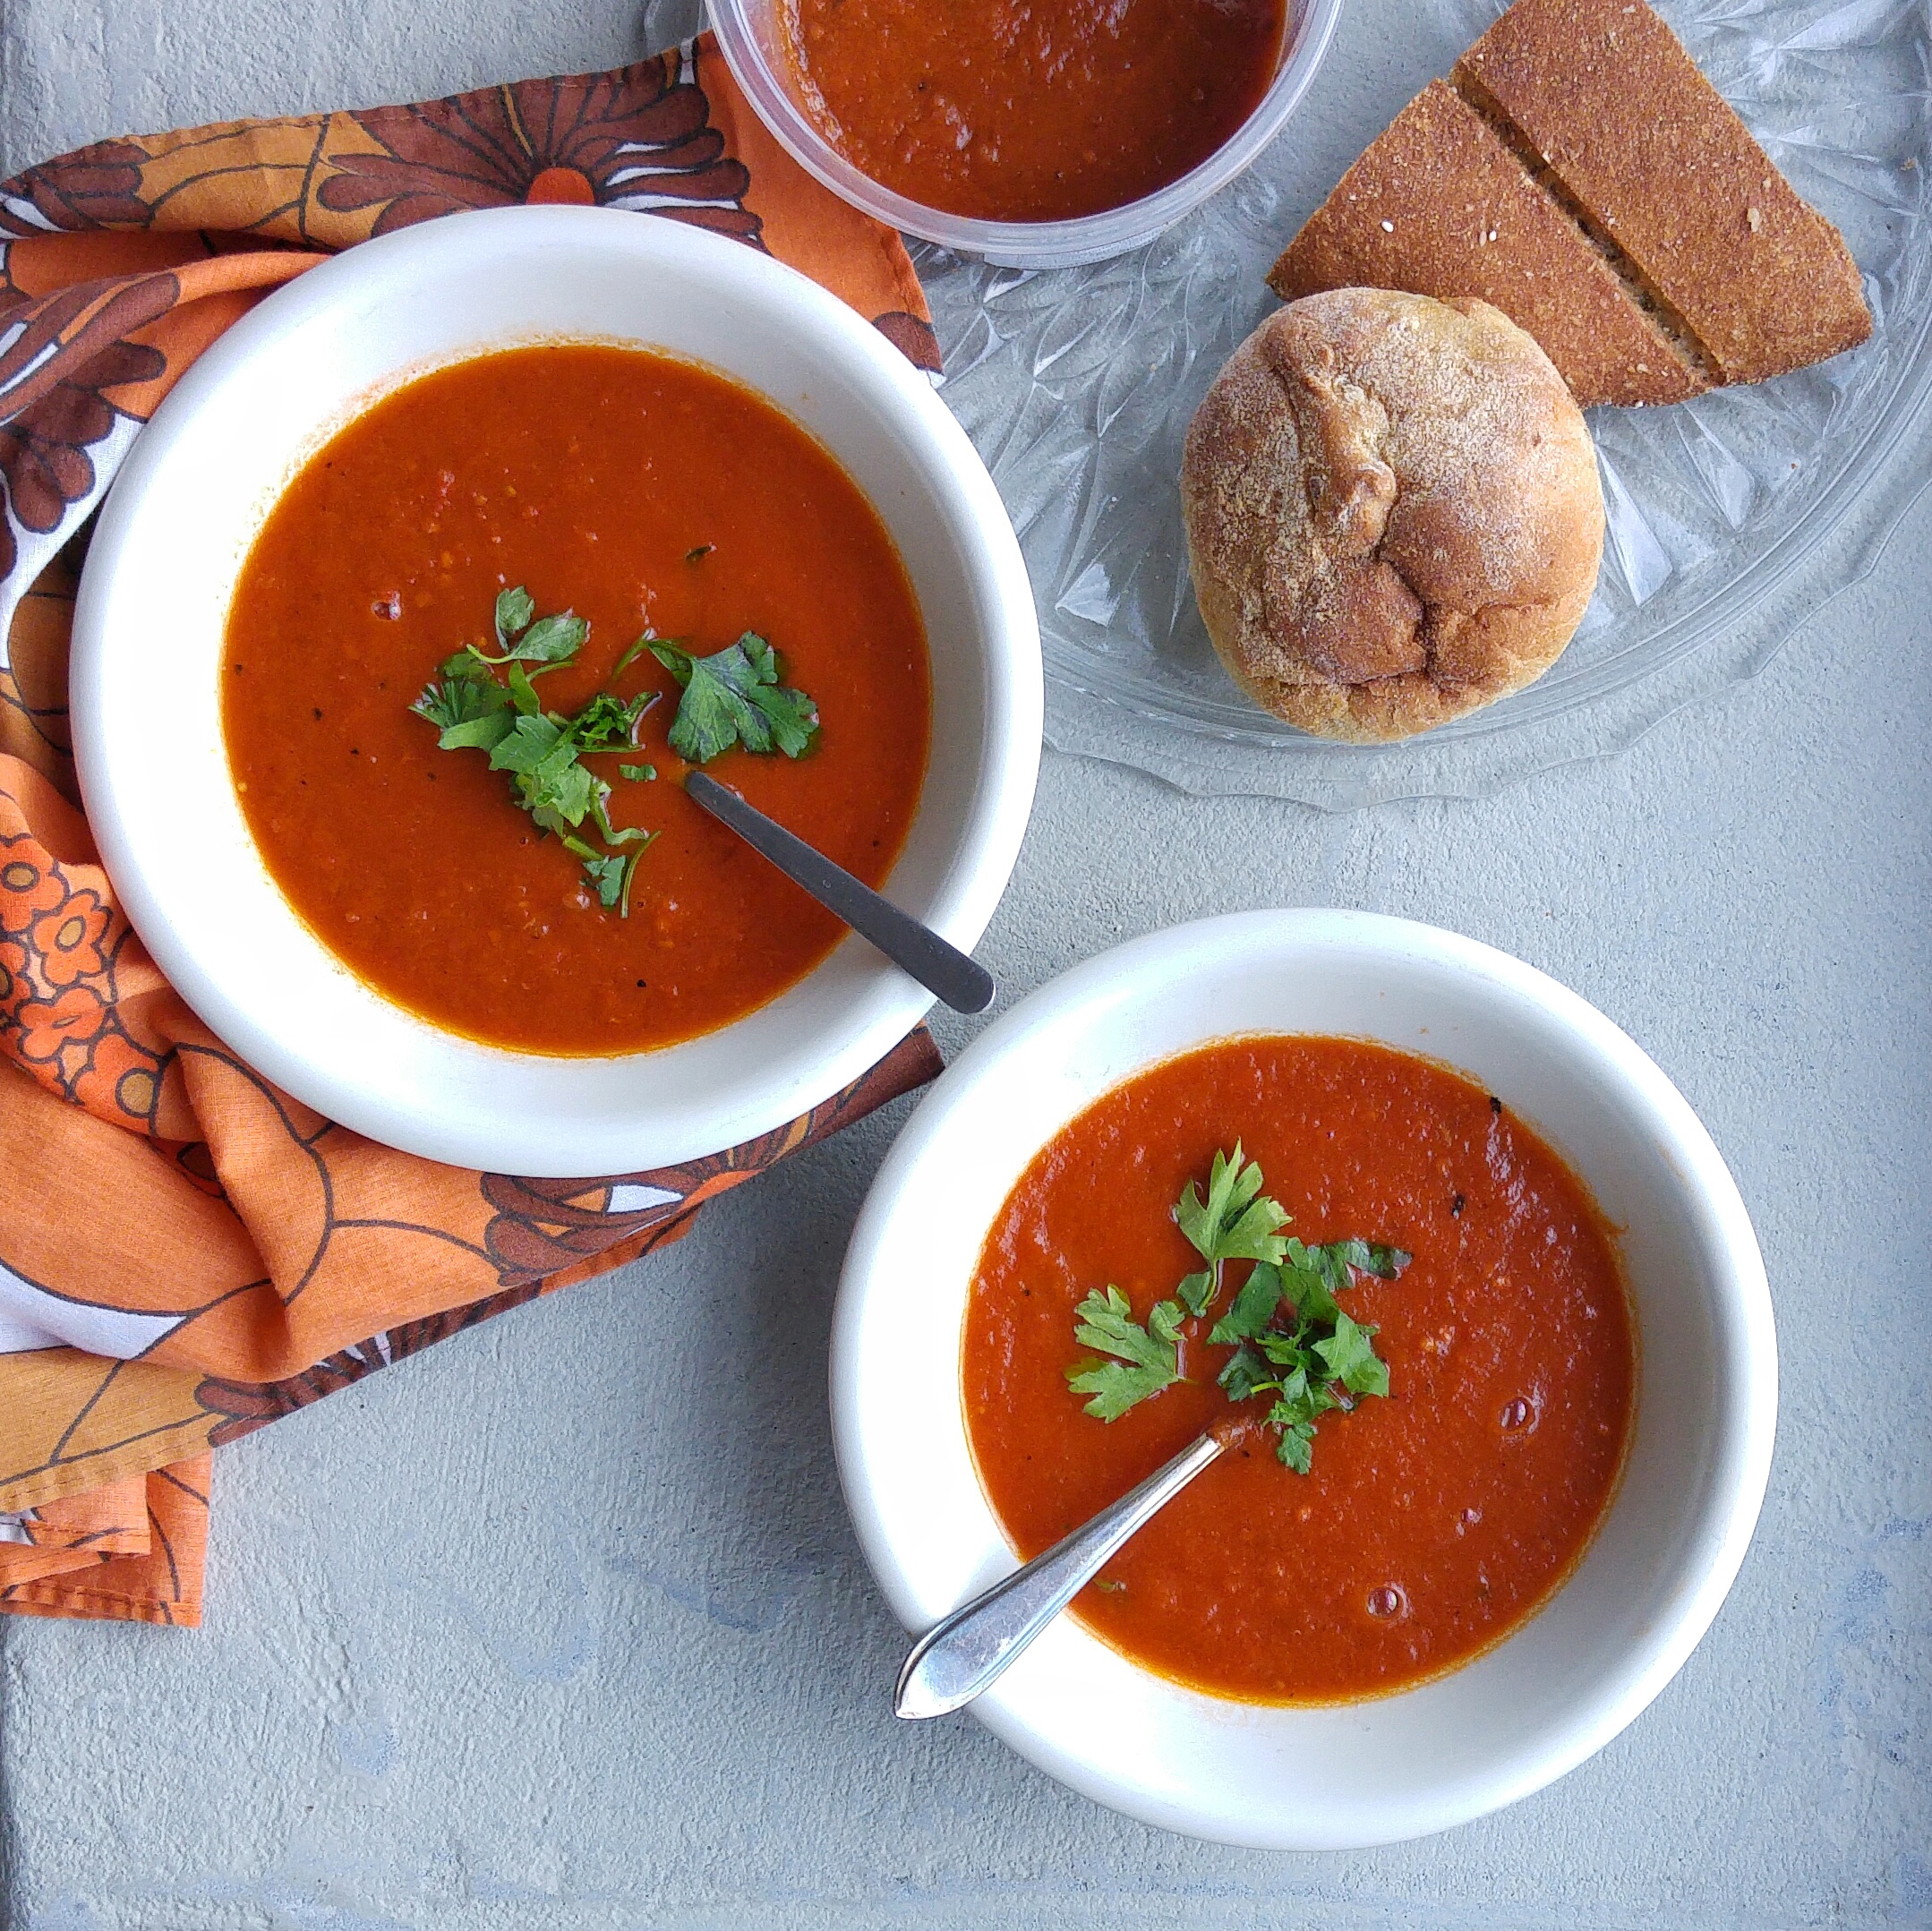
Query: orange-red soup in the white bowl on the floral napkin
586, 474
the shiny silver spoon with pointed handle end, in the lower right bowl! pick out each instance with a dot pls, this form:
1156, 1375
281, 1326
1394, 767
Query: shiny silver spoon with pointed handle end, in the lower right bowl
965, 1654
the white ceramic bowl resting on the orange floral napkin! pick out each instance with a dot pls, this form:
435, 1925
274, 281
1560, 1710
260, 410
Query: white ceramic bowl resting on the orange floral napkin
148, 644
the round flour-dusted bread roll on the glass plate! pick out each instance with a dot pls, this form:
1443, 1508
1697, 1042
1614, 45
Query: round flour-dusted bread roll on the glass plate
1392, 509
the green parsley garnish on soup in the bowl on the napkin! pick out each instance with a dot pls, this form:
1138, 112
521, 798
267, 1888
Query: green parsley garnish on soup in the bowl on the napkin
727, 700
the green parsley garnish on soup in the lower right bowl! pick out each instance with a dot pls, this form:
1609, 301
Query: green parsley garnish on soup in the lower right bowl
1290, 1335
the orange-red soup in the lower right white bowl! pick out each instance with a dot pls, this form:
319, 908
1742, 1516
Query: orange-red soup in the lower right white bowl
1435, 1521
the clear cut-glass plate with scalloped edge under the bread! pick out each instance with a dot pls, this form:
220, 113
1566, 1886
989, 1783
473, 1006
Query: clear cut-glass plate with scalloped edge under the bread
1079, 385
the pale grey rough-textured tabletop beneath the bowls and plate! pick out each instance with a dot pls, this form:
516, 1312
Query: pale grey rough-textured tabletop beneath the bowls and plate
561, 1625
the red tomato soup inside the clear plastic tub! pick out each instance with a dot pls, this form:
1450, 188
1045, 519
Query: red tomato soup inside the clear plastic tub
1031, 111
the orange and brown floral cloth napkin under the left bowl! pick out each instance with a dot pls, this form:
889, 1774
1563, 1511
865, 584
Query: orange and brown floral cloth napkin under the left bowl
186, 1252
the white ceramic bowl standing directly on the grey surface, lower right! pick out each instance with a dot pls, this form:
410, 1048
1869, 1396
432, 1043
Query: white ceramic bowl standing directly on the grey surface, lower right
1670, 1546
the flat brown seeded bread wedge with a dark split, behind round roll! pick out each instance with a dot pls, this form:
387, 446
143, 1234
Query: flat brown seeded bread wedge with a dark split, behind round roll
1637, 231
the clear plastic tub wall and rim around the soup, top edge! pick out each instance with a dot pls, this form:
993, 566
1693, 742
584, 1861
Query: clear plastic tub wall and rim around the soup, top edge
1064, 244
